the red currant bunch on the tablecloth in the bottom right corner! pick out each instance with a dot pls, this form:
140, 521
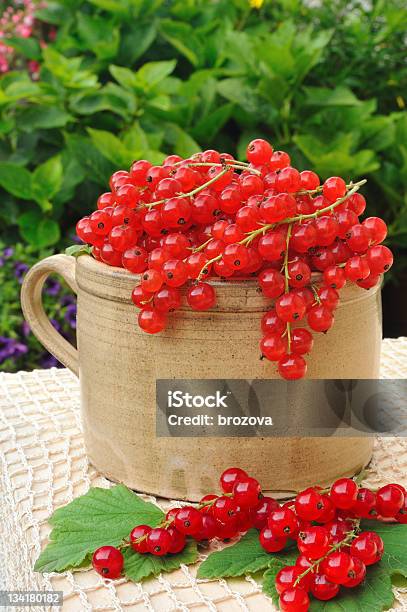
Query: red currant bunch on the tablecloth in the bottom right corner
333, 550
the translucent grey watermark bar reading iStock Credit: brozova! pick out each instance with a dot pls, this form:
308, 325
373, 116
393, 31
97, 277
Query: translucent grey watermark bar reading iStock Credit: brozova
277, 408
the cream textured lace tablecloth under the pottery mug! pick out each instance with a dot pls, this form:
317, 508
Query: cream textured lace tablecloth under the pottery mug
43, 466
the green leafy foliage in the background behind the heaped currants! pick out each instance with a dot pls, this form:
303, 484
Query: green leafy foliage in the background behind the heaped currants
127, 79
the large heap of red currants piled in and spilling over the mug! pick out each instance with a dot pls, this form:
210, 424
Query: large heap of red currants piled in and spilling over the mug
210, 215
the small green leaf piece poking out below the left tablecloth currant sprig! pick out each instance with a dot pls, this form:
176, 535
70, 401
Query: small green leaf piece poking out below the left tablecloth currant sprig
137, 567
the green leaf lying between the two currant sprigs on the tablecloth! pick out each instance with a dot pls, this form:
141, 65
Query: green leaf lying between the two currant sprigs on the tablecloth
245, 557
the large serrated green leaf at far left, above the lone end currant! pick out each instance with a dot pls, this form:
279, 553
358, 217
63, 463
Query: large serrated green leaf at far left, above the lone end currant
100, 517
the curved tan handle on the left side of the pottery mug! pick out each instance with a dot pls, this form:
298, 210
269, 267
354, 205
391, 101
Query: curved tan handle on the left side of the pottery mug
33, 309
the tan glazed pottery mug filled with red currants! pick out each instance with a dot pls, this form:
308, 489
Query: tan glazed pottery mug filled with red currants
118, 365
